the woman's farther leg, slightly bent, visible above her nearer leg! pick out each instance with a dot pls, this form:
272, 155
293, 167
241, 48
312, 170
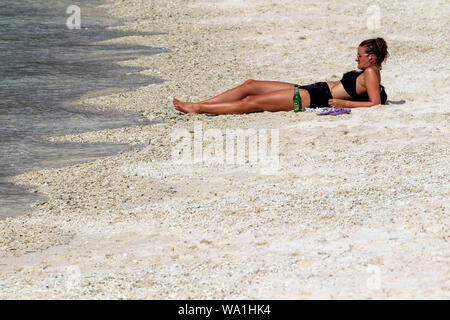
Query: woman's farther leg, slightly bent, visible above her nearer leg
249, 88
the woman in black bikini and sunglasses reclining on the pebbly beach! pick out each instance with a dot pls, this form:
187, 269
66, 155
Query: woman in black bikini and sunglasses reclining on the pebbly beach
354, 90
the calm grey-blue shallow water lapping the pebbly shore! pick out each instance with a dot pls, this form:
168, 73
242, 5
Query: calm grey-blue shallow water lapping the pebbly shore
45, 65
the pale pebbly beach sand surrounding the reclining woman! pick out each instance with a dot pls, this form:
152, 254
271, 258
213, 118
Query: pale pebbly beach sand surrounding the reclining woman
348, 207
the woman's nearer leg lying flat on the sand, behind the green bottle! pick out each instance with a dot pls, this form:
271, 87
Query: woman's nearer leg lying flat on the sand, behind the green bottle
281, 100
